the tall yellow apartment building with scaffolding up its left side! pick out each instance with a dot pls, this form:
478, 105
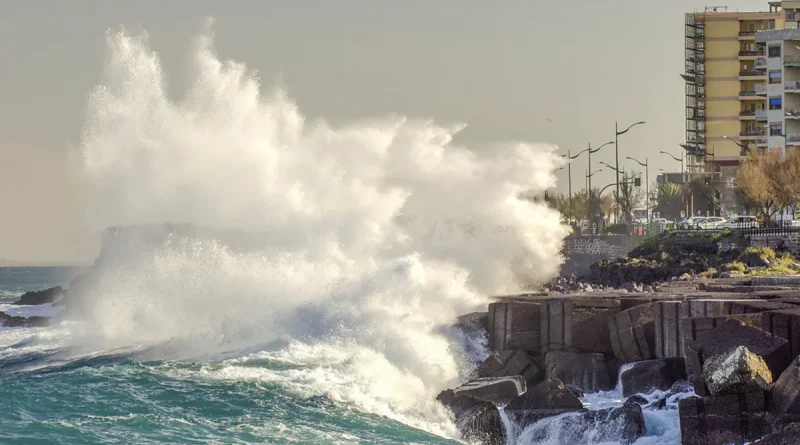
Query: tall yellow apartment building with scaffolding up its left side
726, 85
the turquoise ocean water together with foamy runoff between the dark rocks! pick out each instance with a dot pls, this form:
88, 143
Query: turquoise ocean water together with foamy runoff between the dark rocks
55, 392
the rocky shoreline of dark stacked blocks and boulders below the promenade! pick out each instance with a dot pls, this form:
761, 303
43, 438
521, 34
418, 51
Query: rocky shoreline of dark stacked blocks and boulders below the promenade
726, 350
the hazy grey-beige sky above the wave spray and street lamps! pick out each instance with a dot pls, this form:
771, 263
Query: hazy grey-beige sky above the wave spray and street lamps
537, 70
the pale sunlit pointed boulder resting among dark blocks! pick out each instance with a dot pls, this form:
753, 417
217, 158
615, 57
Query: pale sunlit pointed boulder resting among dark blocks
736, 371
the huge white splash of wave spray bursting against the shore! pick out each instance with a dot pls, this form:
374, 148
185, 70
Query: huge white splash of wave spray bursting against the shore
372, 236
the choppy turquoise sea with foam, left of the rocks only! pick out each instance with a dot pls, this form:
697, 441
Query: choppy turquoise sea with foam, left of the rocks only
50, 393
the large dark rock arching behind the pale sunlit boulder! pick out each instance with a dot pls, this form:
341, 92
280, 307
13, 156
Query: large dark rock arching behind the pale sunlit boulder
729, 335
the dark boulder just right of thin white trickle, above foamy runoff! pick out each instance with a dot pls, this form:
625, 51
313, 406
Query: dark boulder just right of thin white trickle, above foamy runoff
646, 376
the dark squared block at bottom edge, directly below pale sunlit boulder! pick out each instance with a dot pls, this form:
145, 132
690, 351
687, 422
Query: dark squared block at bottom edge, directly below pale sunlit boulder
723, 420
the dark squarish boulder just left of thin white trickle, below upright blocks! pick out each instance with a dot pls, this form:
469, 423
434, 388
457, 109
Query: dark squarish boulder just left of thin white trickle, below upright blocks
588, 372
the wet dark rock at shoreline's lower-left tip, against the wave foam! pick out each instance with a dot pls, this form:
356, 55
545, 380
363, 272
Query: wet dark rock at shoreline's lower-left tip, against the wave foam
478, 422
